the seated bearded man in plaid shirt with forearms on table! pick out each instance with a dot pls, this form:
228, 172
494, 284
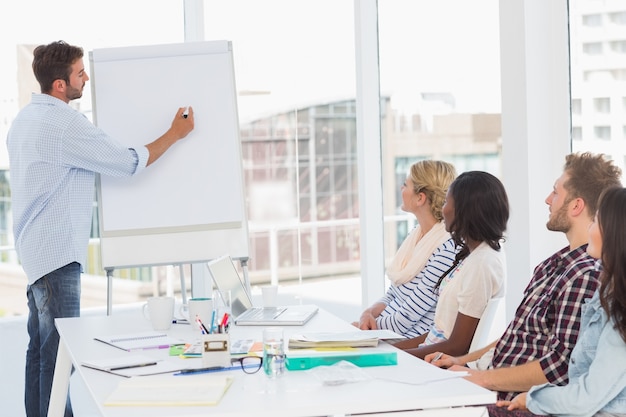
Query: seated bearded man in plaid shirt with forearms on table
536, 346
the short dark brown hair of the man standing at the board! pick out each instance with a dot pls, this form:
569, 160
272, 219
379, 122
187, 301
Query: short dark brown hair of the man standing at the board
54, 62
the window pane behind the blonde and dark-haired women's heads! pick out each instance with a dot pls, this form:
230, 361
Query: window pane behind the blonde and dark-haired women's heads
441, 71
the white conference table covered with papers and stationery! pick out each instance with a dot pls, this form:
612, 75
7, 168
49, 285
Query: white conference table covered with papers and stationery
294, 394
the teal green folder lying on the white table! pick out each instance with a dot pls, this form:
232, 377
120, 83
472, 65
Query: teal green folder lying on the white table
307, 359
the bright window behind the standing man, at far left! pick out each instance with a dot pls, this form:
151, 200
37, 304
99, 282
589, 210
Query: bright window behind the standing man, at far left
99, 24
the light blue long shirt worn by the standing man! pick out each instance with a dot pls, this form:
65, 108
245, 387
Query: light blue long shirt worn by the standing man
54, 155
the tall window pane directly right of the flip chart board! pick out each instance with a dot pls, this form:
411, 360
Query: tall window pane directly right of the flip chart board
294, 68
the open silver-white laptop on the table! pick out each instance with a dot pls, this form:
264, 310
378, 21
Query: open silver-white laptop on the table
226, 278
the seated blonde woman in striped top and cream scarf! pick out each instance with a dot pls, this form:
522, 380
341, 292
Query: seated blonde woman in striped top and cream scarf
408, 307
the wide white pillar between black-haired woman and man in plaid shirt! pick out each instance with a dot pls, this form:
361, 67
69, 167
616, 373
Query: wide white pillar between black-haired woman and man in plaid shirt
535, 129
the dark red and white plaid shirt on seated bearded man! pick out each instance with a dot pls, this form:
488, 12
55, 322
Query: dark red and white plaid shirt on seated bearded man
546, 323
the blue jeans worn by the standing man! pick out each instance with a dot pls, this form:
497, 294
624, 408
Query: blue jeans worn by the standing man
54, 295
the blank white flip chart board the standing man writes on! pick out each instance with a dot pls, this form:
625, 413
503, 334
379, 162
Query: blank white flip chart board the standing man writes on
189, 205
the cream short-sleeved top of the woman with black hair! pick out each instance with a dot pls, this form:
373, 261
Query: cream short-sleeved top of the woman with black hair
479, 277
